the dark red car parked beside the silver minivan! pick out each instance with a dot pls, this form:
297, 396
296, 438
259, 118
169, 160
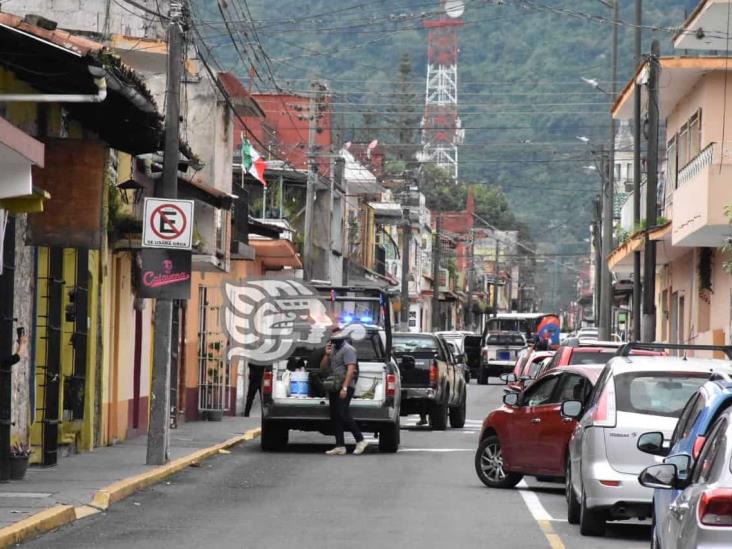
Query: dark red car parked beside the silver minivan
528, 435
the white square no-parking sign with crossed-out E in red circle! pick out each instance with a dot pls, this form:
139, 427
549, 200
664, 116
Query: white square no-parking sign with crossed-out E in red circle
168, 223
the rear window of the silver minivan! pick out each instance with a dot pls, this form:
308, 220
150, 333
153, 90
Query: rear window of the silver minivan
656, 393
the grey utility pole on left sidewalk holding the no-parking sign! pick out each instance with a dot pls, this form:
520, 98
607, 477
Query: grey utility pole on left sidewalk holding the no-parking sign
167, 187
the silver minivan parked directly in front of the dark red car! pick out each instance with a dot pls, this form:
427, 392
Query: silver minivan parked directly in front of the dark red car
634, 394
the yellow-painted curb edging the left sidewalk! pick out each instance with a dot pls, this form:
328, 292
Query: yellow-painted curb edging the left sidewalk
61, 515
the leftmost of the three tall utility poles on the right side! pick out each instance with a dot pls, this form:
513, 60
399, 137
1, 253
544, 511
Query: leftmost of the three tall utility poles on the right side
608, 209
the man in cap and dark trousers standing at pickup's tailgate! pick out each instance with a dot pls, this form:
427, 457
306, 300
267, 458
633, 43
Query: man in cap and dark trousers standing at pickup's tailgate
341, 362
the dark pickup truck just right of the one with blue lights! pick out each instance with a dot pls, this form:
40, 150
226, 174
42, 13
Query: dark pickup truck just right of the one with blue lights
431, 382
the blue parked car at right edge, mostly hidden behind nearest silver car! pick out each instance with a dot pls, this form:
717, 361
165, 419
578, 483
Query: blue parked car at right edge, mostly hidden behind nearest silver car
701, 411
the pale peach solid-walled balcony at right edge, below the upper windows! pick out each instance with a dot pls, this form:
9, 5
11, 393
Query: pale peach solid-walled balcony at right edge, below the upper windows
704, 189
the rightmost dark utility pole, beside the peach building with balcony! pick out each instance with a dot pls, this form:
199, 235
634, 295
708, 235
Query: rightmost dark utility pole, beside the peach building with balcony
649, 271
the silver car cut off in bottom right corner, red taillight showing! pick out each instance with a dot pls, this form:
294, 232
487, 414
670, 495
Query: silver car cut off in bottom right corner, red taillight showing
701, 515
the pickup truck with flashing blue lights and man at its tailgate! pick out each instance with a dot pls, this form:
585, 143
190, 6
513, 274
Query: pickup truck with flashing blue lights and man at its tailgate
376, 402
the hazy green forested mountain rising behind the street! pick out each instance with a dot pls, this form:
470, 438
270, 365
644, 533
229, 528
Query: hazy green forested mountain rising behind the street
522, 99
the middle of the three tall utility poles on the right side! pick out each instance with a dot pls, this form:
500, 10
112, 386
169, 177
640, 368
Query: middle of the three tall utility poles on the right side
637, 174
